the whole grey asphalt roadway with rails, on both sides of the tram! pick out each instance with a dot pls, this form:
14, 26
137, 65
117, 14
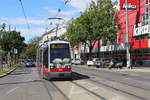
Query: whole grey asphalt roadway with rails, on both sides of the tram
87, 84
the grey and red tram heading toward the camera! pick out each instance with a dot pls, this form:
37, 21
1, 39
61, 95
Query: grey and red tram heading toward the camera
54, 59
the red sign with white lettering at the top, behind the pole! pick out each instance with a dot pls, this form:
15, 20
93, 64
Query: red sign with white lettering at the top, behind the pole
132, 4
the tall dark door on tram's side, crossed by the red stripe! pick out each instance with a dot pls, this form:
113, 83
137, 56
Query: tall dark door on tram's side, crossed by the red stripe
45, 62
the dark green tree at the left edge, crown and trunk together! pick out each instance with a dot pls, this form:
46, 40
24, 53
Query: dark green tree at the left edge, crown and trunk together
12, 44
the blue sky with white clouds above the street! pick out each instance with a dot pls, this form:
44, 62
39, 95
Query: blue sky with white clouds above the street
38, 12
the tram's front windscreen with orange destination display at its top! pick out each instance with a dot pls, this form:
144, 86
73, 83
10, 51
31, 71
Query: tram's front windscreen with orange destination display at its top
59, 51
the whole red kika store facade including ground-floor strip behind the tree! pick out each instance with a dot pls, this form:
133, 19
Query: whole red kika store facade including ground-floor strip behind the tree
139, 33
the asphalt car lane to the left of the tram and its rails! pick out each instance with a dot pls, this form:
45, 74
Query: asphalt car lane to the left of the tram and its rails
23, 84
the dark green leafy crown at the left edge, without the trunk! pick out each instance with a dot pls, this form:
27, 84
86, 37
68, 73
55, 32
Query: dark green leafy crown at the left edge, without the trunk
11, 40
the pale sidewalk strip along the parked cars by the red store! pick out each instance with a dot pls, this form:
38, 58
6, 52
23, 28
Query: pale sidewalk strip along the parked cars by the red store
124, 69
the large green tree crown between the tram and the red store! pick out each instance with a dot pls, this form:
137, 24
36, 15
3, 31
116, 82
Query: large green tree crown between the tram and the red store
96, 23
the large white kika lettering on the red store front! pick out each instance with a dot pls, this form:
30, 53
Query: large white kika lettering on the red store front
141, 30
